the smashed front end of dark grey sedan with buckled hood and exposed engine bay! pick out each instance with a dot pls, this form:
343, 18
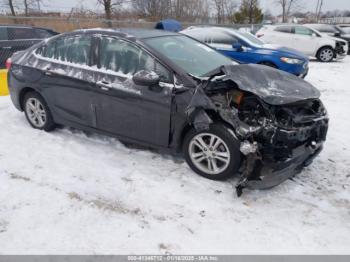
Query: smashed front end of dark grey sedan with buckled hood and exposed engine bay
279, 133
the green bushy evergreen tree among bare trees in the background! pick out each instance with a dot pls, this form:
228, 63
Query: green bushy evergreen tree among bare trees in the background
249, 12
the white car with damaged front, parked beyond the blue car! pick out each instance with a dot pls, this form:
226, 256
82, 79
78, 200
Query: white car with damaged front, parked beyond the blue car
306, 40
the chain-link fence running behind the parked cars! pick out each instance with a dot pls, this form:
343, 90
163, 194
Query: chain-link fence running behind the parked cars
15, 38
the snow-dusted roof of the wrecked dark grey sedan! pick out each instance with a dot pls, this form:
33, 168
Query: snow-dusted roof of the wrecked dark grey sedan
131, 32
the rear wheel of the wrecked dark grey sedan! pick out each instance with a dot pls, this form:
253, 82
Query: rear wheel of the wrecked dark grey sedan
37, 112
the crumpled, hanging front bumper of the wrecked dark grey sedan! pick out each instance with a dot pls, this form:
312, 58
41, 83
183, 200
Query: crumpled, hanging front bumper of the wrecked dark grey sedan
262, 171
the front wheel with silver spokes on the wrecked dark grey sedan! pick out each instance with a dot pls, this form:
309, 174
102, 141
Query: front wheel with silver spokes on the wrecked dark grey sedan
226, 156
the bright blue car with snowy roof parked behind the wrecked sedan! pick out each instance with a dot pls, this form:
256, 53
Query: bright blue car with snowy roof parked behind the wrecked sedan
246, 48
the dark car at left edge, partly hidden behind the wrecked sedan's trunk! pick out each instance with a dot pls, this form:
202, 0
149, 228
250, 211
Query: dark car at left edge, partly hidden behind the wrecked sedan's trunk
15, 38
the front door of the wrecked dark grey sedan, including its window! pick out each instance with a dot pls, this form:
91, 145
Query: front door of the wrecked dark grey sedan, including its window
123, 108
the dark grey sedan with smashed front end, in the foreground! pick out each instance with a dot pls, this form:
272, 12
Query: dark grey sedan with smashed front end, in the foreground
169, 91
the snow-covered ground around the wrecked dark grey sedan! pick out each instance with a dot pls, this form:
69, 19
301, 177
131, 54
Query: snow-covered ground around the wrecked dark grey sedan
67, 192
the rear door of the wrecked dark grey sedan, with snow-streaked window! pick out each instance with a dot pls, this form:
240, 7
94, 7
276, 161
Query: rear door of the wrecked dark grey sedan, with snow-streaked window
67, 79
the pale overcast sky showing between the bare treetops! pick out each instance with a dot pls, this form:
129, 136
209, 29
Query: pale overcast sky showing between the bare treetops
66, 5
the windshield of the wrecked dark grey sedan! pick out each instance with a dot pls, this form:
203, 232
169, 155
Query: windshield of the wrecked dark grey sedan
193, 57
